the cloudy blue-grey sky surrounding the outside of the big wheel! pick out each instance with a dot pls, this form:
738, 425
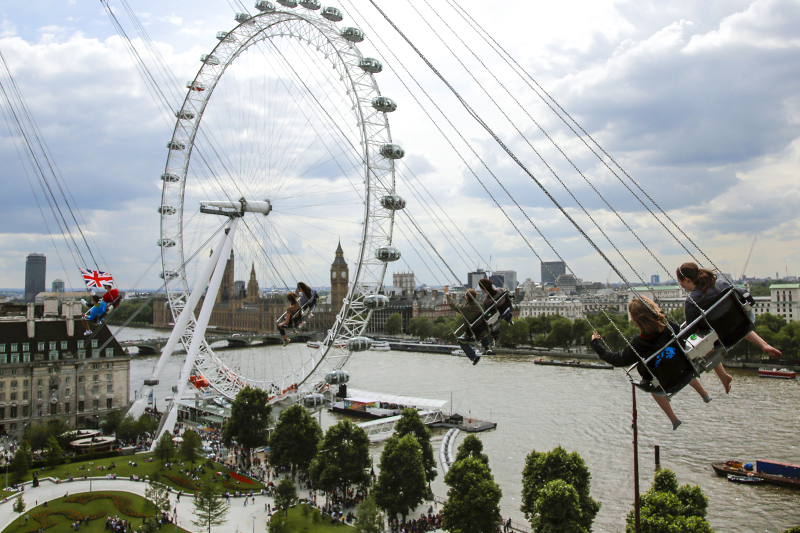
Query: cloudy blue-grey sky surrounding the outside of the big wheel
697, 101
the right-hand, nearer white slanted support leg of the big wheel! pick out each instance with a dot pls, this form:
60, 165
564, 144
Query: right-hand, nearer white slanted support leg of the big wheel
200, 329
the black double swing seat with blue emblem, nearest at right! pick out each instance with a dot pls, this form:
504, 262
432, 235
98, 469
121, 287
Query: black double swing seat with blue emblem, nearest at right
698, 347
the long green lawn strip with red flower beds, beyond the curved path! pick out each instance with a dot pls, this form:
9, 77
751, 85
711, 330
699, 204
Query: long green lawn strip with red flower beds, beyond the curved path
144, 470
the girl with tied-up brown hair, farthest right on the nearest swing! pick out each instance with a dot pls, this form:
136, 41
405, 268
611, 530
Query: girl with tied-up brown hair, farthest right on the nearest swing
704, 288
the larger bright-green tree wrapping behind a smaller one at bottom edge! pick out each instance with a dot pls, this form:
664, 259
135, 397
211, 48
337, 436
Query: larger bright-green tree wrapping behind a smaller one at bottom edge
543, 467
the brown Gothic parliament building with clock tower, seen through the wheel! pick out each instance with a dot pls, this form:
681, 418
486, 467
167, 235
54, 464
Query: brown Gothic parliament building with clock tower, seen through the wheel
243, 309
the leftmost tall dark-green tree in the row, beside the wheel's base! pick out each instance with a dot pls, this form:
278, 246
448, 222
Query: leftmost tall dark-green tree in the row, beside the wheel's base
250, 418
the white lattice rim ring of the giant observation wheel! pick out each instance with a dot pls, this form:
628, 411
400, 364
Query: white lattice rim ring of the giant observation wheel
378, 172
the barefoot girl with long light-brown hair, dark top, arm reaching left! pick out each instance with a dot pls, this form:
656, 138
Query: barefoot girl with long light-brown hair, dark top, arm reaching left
654, 334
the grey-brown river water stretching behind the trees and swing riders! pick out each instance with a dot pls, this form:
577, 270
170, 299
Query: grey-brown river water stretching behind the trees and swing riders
588, 411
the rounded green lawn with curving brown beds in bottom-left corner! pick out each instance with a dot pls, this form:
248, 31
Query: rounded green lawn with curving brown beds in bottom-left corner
59, 514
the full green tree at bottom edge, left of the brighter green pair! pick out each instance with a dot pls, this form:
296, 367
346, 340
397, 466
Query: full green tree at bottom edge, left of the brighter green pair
473, 499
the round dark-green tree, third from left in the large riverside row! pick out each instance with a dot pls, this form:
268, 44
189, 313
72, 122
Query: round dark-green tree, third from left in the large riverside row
343, 460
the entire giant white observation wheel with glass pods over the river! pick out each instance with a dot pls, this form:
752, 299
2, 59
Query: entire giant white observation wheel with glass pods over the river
281, 147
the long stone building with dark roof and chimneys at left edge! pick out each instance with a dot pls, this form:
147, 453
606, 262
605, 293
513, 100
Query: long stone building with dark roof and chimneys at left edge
49, 369
